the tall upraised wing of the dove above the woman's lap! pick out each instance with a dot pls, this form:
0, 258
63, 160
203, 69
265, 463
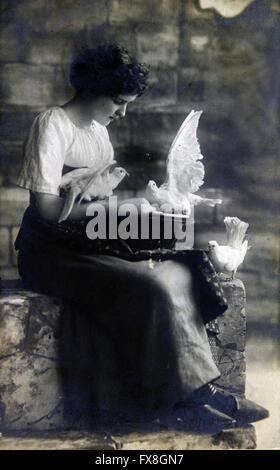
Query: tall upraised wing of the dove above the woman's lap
184, 149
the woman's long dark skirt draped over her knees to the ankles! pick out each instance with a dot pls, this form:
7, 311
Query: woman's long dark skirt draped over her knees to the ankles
133, 340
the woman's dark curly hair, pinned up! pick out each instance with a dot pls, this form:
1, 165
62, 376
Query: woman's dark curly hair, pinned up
108, 70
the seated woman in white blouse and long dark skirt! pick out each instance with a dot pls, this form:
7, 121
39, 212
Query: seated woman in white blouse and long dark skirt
133, 341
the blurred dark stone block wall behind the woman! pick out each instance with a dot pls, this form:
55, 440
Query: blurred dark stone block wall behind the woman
200, 60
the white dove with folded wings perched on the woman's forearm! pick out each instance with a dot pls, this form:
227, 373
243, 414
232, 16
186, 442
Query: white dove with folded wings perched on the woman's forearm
89, 184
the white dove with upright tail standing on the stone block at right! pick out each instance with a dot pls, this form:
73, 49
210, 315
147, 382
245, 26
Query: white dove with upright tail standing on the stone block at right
227, 258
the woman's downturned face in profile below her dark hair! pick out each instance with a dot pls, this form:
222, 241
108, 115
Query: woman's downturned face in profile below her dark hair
106, 109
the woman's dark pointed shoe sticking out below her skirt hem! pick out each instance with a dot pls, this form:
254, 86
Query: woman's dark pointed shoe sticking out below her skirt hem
240, 409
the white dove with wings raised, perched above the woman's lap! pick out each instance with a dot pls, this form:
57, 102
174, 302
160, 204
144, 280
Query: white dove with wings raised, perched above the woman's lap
184, 172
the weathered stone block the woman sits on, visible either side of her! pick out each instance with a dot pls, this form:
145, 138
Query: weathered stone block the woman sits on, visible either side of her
30, 377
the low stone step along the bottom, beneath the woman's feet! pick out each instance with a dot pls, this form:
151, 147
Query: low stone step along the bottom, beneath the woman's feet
165, 440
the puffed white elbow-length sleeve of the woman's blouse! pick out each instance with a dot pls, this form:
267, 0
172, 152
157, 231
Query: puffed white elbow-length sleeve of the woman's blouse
50, 136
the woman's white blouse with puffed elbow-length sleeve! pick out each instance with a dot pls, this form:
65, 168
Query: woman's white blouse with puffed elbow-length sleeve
54, 141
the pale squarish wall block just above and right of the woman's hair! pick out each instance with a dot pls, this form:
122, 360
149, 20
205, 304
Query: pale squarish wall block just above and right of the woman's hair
164, 41
